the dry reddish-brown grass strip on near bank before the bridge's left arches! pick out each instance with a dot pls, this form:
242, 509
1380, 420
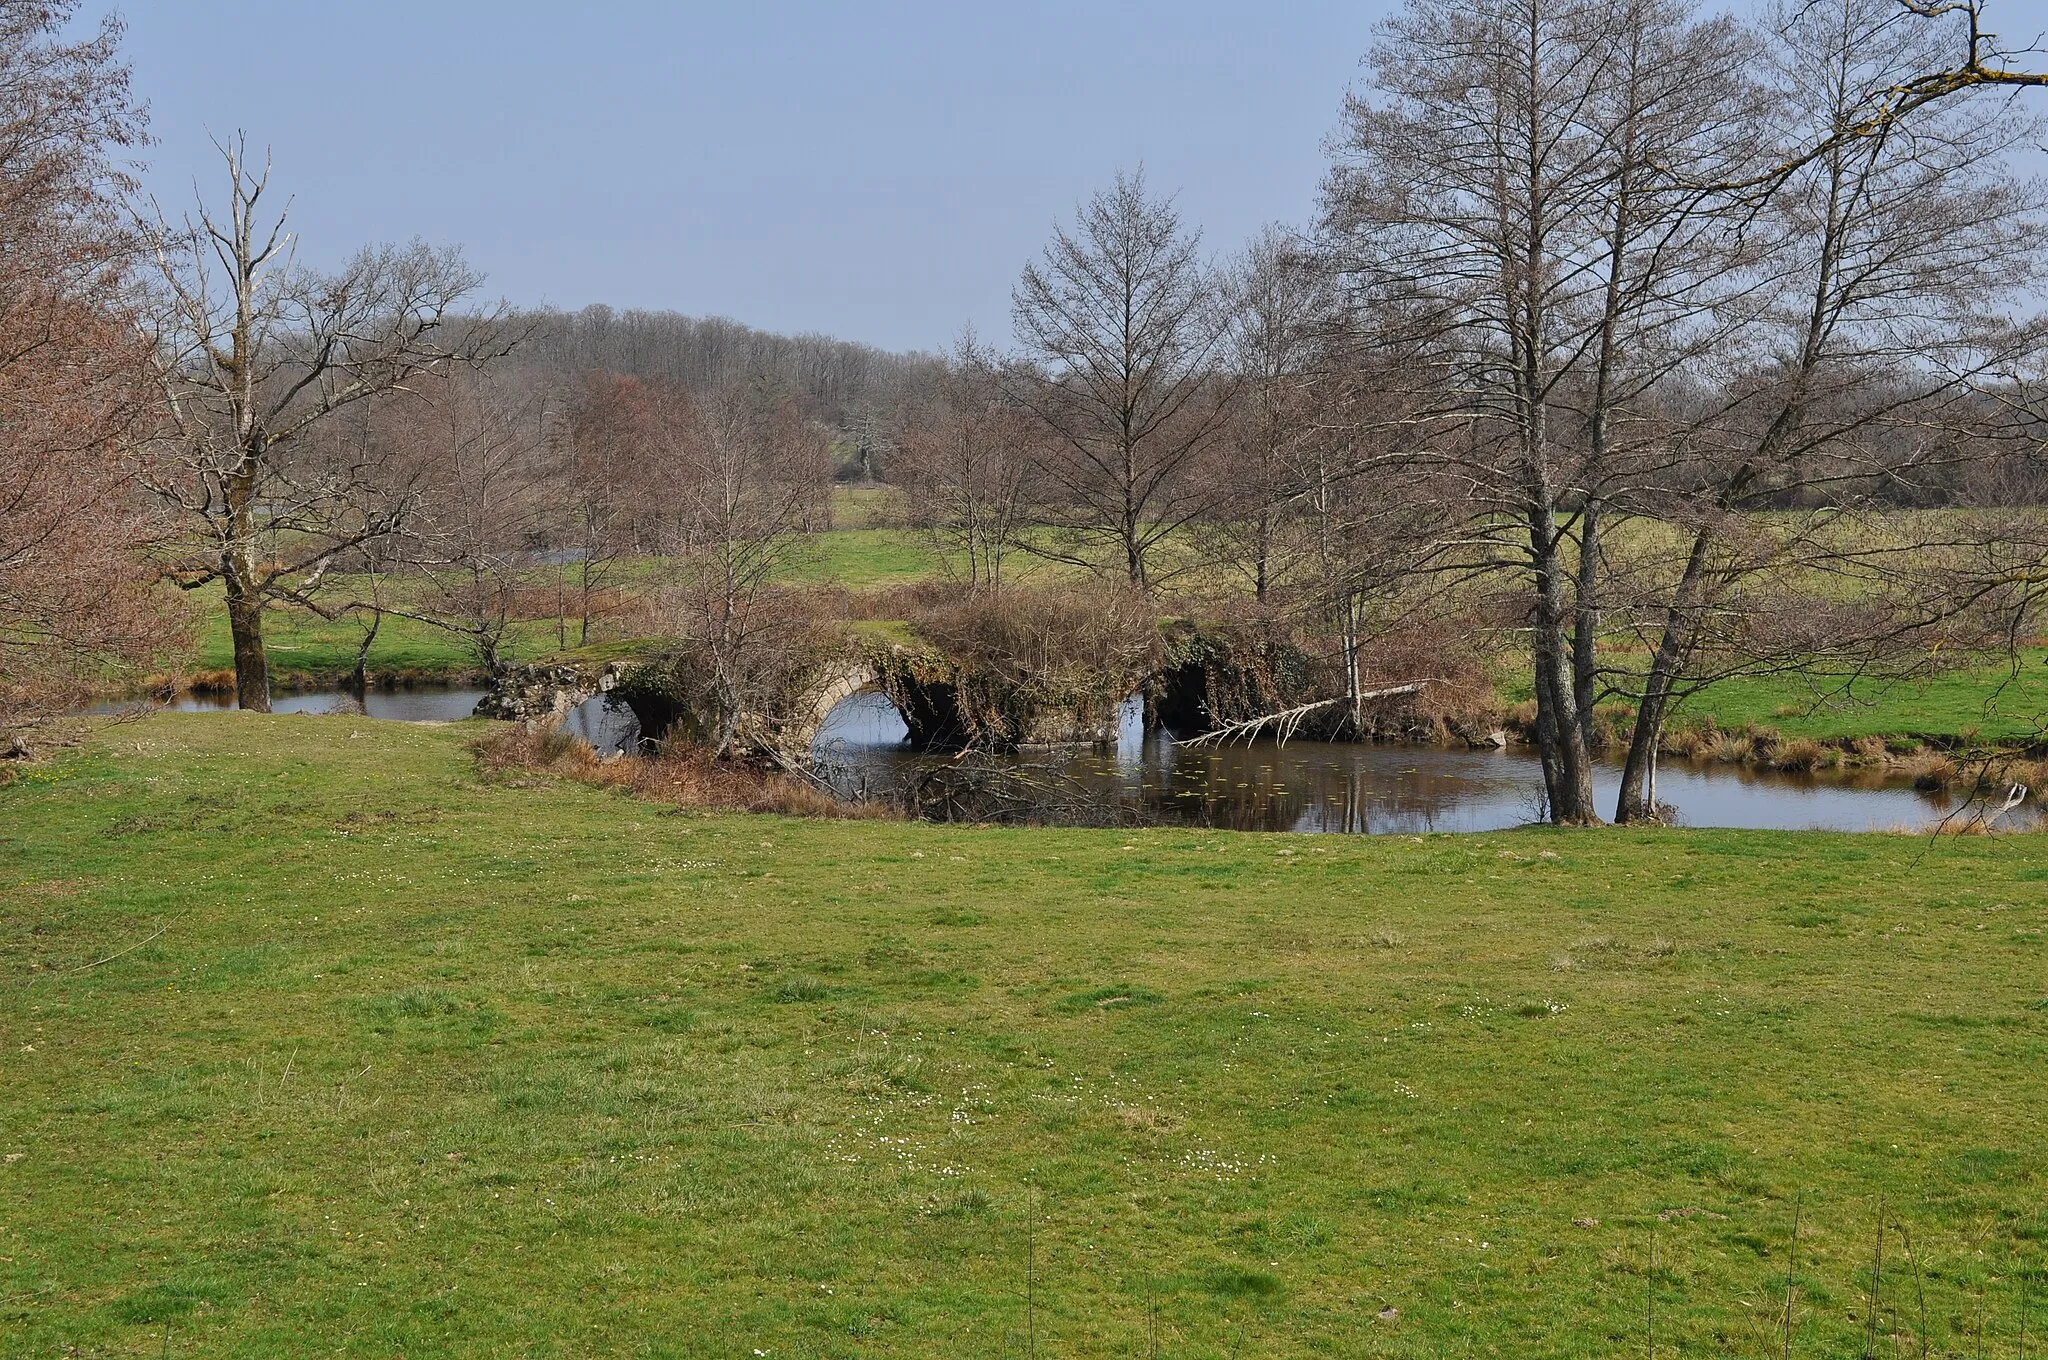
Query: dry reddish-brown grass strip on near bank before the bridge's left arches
685, 777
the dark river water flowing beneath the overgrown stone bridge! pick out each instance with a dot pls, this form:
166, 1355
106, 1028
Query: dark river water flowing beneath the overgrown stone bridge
1295, 788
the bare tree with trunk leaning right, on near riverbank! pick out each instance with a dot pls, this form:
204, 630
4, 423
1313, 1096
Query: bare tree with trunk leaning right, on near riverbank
1889, 265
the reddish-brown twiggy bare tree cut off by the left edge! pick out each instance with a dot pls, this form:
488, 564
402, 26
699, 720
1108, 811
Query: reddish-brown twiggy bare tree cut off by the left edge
75, 591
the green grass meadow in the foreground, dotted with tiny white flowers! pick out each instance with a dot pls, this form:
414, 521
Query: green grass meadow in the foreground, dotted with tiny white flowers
318, 1044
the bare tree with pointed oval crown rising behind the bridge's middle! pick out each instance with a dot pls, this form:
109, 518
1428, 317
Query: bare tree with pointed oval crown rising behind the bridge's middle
1119, 333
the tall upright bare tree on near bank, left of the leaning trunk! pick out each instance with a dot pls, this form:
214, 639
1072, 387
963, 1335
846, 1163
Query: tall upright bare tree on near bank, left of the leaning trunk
1463, 210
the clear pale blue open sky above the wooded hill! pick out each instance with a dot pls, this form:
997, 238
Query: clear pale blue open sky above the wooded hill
871, 171
